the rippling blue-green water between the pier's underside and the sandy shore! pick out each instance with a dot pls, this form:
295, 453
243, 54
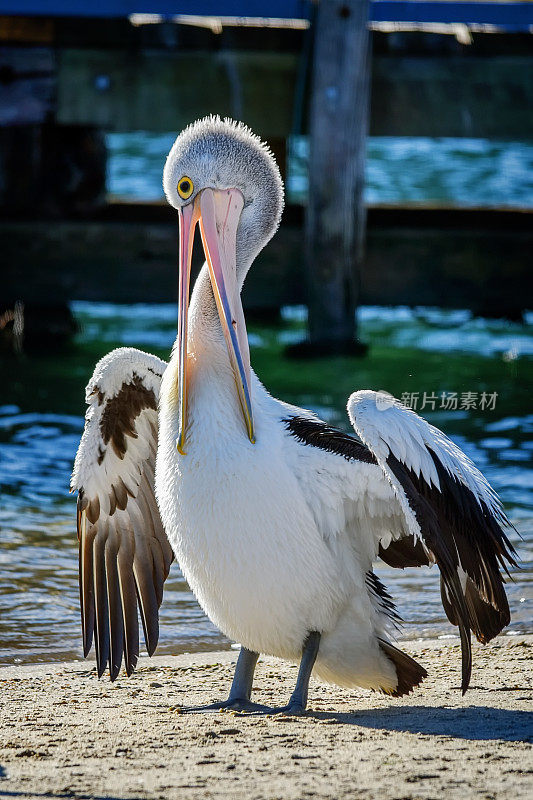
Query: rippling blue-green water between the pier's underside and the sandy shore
431, 351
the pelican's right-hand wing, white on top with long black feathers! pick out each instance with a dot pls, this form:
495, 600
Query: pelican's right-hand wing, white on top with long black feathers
452, 515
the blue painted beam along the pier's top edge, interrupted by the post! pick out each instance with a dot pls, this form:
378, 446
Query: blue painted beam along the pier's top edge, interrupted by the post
510, 16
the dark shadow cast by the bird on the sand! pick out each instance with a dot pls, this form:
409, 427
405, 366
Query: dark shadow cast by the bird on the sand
477, 723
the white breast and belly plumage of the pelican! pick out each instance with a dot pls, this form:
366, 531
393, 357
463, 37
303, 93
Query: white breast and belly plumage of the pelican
266, 533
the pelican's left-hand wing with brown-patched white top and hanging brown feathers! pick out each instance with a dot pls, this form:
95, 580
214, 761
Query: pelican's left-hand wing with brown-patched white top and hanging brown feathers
124, 554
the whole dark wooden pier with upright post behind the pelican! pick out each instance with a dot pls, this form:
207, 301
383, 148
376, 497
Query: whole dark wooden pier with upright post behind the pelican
67, 75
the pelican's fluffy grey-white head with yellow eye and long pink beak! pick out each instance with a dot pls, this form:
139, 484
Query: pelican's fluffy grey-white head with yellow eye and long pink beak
220, 175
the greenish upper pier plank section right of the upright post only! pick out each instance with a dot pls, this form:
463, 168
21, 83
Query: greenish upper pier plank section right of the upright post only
489, 97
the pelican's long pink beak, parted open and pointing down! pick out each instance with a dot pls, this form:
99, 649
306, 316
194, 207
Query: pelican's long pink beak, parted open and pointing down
218, 211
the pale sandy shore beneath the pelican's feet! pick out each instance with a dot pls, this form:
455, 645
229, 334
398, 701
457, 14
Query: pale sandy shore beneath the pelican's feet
64, 733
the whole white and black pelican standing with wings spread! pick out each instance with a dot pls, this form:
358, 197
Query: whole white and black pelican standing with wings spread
275, 517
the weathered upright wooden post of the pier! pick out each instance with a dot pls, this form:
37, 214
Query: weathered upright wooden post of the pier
336, 217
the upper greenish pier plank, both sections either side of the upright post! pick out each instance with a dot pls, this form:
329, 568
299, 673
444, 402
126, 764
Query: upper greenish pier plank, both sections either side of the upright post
411, 95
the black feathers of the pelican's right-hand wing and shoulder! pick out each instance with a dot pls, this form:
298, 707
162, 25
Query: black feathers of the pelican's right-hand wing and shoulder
459, 532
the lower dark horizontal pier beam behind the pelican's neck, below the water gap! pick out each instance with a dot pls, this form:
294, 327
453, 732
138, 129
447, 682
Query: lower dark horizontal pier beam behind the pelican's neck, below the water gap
444, 257
